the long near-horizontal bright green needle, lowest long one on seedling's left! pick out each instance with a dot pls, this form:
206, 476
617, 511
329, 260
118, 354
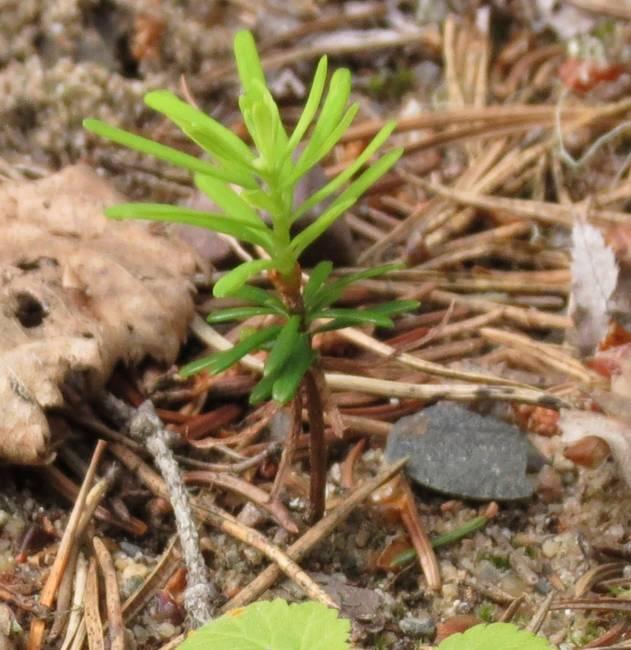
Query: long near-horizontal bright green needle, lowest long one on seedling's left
175, 214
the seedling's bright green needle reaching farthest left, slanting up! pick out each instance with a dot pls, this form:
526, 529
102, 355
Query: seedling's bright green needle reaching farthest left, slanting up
151, 148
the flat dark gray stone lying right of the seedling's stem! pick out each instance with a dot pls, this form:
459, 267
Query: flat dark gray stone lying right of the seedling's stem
460, 453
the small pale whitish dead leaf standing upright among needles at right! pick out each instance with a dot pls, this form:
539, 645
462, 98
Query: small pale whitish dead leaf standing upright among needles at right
594, 279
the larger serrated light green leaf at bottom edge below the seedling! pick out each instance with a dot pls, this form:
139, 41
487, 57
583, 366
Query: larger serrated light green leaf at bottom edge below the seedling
273, 625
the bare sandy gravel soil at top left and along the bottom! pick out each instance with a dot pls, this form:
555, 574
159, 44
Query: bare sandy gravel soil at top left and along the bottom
63, 60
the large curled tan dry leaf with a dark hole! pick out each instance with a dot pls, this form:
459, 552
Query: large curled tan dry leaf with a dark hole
78, 293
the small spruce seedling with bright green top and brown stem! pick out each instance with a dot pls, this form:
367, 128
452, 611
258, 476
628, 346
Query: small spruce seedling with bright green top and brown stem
261, 212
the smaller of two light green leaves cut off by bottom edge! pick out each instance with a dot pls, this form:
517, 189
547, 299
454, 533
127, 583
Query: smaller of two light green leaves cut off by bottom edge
496, 636
